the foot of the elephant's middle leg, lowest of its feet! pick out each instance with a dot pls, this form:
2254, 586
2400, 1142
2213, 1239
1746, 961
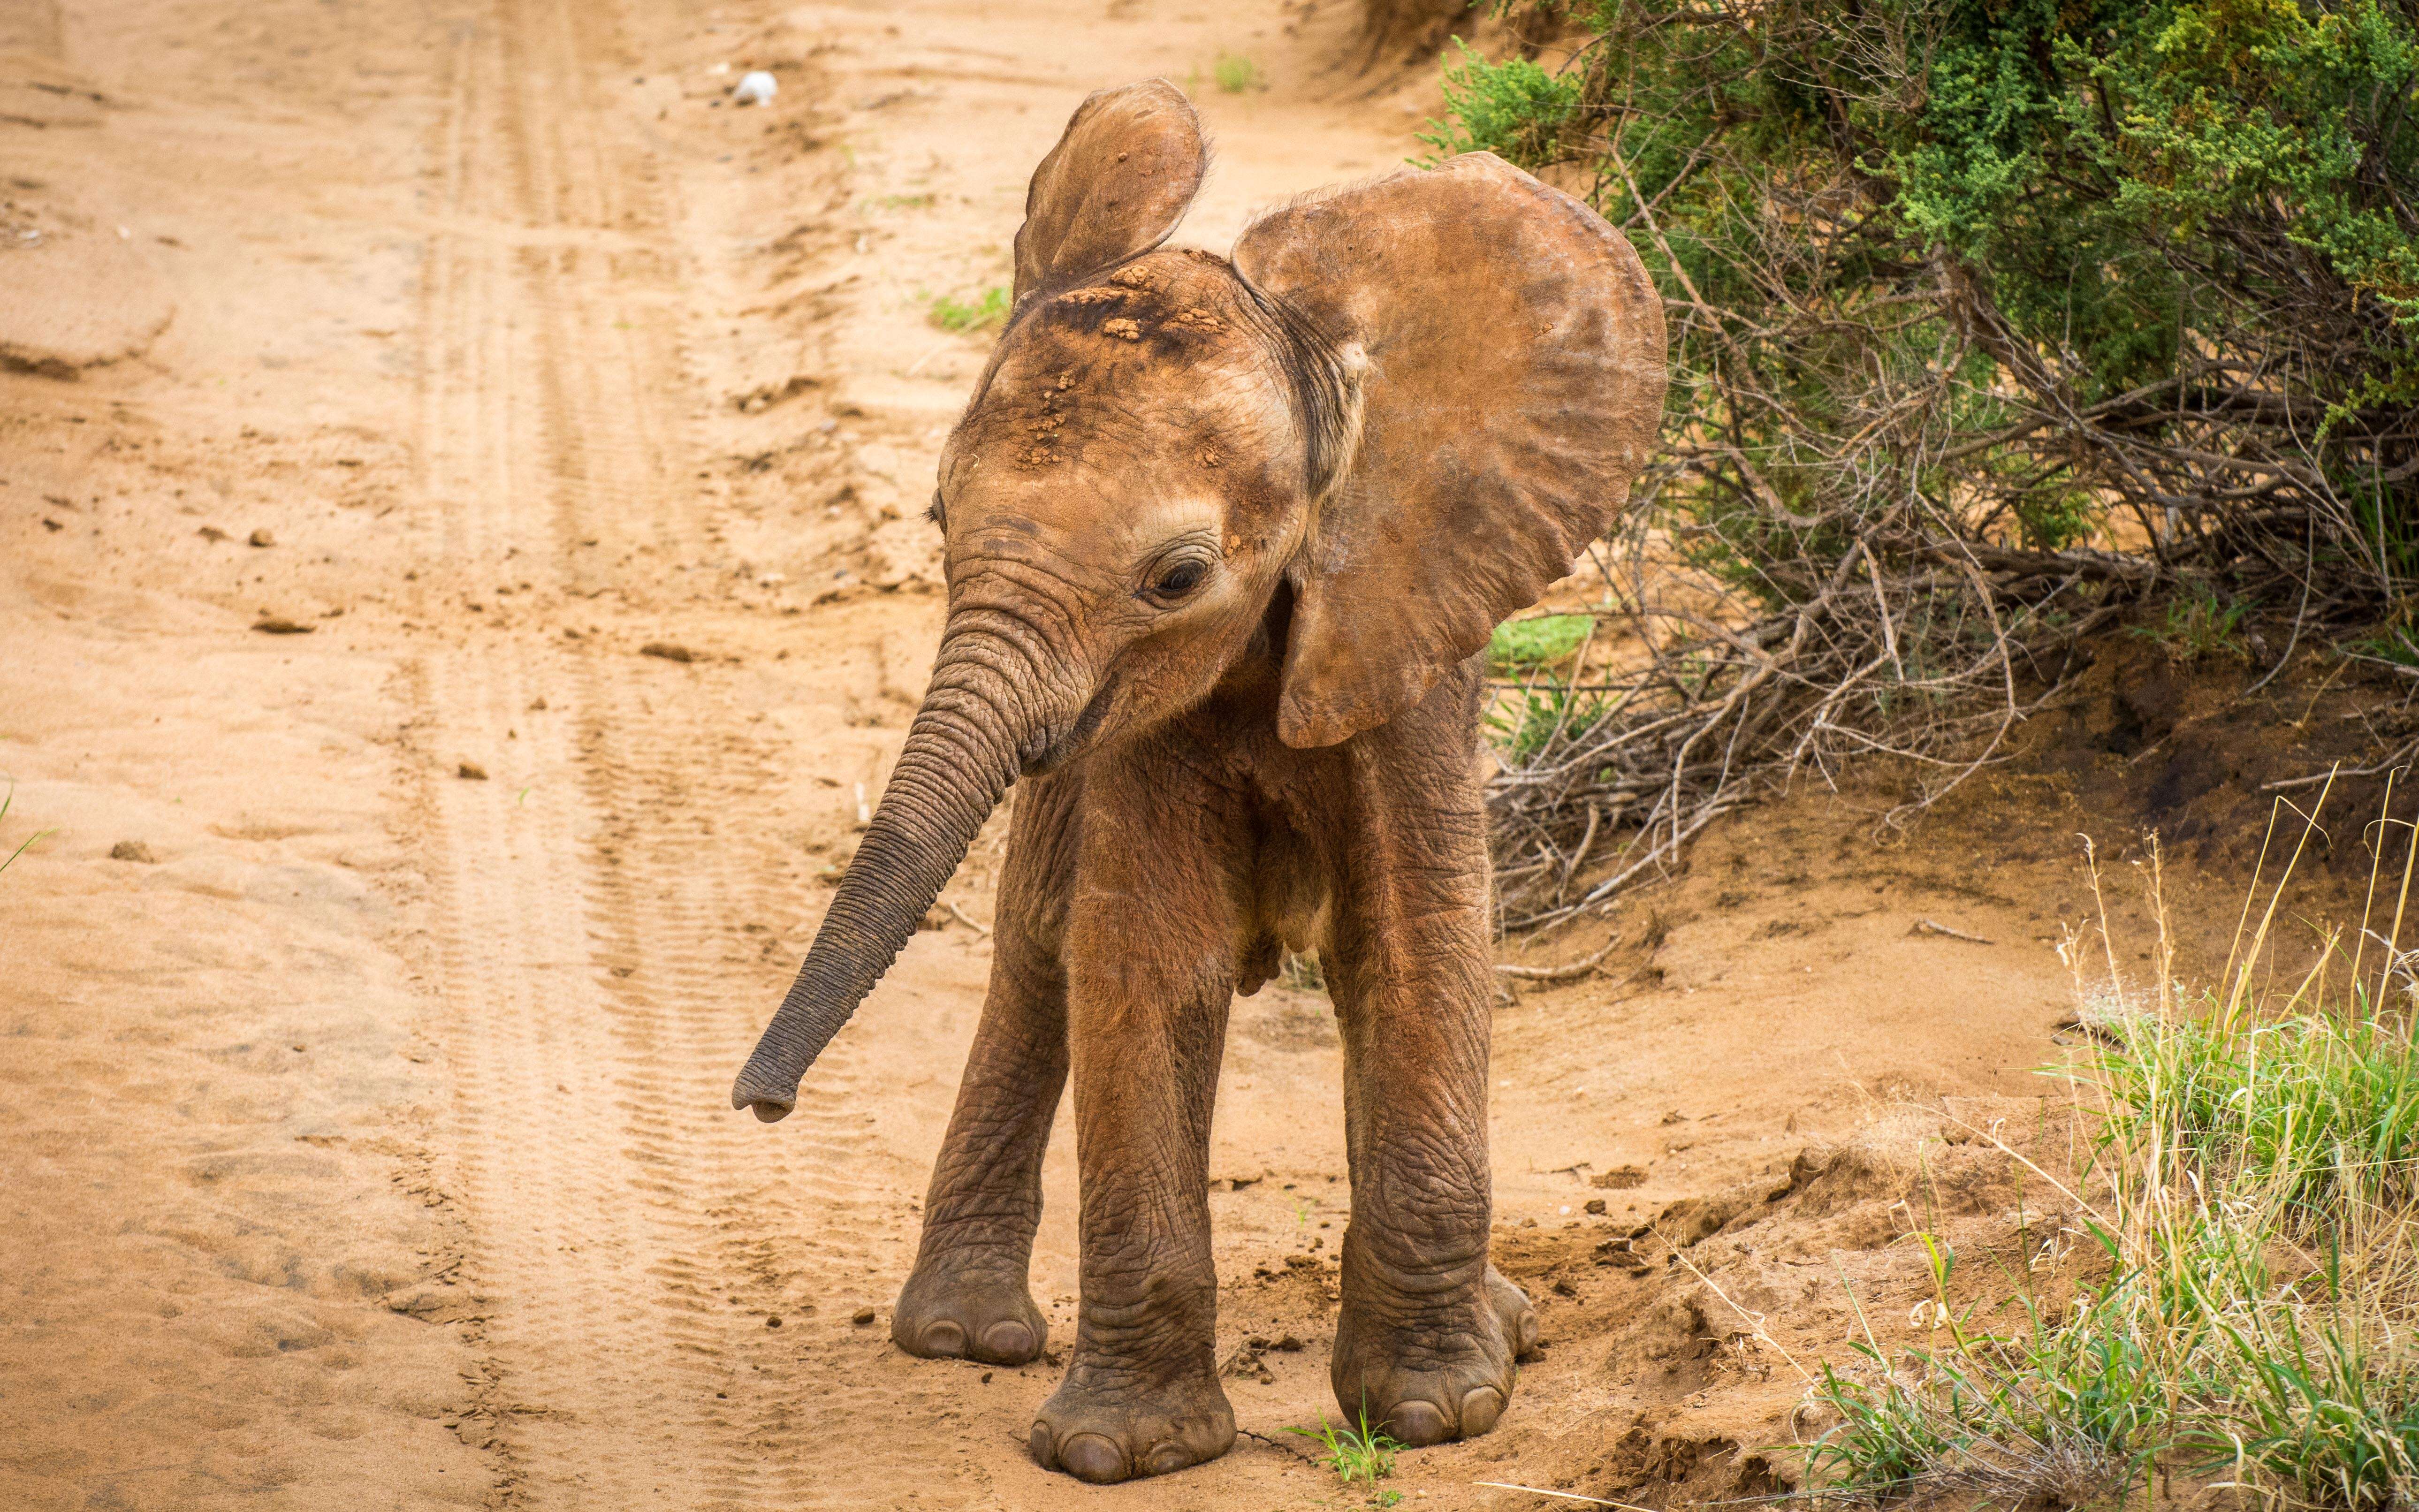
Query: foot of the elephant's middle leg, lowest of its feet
1102, 1426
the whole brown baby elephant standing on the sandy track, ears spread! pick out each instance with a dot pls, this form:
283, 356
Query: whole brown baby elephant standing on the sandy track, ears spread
1225, 541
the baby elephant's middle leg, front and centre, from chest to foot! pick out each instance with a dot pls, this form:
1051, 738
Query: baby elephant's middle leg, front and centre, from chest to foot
1150, 983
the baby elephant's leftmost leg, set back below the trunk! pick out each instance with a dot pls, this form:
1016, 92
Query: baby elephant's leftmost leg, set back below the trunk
969, 1293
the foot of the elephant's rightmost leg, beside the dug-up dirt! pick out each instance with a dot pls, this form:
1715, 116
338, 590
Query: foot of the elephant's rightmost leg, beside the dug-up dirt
1433, 1370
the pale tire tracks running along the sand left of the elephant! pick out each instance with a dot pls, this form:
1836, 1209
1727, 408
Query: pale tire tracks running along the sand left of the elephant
628, 1233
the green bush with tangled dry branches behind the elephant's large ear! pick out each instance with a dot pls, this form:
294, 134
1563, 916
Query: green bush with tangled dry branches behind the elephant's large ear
1992, 325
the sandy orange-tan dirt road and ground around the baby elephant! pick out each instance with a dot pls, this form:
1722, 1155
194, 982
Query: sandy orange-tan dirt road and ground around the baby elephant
458, 601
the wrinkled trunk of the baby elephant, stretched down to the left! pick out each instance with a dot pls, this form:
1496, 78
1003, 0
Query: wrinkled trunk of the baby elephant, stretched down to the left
964, 749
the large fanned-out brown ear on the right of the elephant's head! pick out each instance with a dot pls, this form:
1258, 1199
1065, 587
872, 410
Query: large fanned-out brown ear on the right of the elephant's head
1511, 364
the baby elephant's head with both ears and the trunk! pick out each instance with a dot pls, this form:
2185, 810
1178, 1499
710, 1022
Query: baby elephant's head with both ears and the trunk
1390, 420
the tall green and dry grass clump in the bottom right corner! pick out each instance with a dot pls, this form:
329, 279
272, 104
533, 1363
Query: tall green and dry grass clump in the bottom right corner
2251, 1189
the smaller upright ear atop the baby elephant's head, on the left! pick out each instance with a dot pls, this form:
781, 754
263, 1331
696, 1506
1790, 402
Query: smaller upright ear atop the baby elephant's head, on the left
1114, 187
